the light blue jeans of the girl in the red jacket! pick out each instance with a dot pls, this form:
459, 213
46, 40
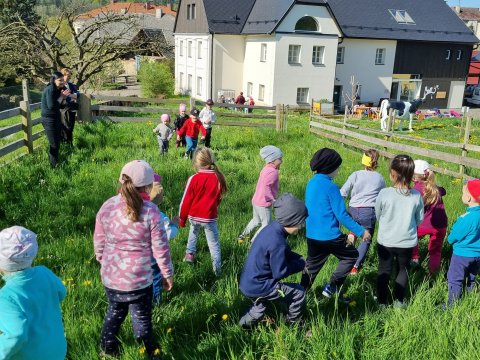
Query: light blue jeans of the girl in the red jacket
211, 233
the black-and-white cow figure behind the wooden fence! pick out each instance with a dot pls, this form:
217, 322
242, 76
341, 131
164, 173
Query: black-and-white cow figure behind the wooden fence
403, 109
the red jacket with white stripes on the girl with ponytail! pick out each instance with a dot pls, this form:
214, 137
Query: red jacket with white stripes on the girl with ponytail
201, 198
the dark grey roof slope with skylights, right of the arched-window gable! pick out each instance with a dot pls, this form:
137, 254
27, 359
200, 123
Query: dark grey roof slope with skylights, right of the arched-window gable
434, 20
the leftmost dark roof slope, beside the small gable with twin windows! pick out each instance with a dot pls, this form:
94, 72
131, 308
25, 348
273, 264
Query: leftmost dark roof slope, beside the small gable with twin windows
227, 16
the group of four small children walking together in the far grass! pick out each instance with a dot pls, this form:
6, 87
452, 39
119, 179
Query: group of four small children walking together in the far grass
186, 128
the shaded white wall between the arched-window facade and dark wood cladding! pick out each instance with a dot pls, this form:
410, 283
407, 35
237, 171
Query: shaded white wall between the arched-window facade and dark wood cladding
359, 60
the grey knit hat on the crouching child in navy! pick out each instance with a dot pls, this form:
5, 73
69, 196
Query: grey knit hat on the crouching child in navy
289, 211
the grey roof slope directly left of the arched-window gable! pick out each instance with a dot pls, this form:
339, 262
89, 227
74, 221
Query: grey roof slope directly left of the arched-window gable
266, 15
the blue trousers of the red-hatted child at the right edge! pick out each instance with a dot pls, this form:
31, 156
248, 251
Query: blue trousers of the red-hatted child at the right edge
461, 268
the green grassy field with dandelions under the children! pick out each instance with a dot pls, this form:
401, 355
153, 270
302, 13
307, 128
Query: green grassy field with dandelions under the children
198, 319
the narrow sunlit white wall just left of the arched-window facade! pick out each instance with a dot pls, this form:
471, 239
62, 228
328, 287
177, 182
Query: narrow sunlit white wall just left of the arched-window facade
258, 72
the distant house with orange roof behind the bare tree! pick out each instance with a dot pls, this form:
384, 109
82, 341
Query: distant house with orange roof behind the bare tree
153, 23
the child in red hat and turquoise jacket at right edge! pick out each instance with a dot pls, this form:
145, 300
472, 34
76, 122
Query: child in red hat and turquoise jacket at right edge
465, 239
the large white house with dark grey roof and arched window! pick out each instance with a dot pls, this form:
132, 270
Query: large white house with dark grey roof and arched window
292, 51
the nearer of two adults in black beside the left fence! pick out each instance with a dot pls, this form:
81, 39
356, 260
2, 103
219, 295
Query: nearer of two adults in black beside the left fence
53, 98
